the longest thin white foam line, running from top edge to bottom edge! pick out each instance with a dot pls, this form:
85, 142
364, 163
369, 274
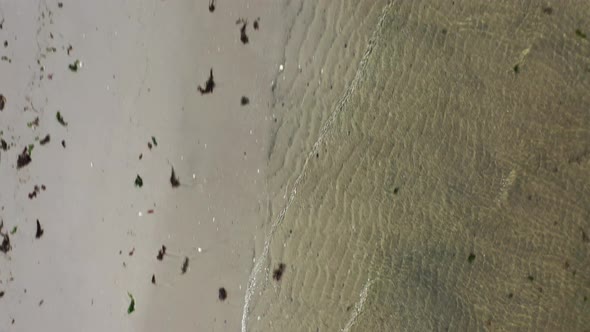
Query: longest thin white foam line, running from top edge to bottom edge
252, 280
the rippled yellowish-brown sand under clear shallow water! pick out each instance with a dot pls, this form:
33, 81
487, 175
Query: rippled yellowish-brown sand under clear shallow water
430, 169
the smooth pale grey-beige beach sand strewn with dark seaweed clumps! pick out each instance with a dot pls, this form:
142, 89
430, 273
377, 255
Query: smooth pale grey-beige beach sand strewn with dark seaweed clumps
141, 65
